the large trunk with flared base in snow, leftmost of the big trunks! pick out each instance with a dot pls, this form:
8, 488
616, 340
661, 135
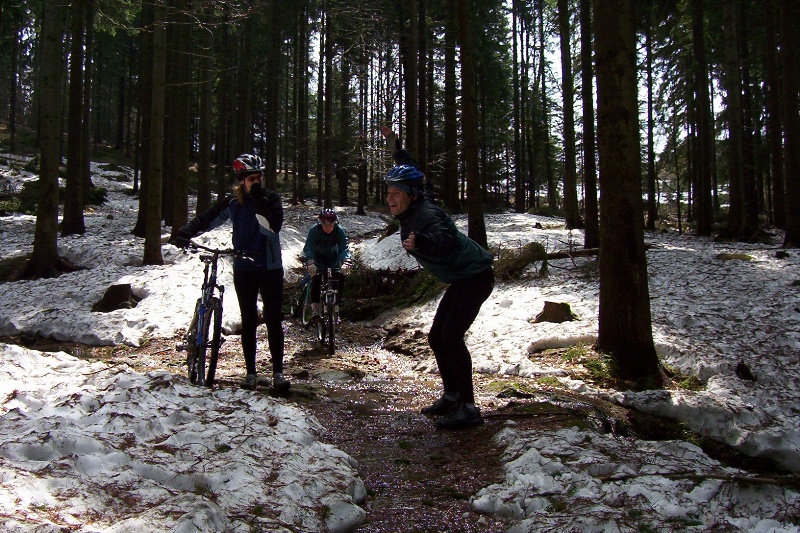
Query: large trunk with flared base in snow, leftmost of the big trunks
44, 258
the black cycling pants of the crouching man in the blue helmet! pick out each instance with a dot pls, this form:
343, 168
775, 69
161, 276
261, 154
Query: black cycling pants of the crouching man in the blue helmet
457, 311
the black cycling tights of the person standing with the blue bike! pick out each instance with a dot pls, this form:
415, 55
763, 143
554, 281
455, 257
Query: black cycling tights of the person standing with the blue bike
248, 285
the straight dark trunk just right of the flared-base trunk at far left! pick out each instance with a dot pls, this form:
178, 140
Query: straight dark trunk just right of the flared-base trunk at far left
72, 222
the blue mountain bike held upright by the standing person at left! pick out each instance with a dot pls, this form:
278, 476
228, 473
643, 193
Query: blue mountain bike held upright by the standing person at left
204, 335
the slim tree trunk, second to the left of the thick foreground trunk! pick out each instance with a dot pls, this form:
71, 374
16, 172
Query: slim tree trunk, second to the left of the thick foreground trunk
572, 216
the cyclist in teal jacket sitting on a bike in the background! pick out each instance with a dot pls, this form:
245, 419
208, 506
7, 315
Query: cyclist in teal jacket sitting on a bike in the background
326, 247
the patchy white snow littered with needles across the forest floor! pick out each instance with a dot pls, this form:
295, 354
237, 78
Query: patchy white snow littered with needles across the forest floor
80, 438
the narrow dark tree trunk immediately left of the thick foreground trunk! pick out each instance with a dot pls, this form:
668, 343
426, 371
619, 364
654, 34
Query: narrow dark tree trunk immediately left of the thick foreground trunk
591, 236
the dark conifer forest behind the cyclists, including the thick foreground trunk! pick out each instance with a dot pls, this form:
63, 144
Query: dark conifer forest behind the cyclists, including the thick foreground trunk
679, 113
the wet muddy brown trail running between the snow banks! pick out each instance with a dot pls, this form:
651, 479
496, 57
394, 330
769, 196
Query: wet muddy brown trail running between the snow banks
417, 478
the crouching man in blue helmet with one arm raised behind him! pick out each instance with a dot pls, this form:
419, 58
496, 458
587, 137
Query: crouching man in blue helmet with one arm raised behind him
430, 236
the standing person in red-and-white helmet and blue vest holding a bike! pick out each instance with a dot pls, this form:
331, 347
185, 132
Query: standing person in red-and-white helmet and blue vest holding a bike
256, 215
